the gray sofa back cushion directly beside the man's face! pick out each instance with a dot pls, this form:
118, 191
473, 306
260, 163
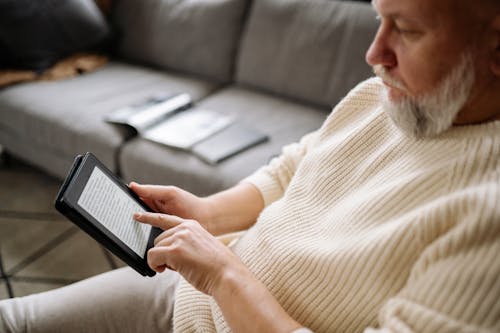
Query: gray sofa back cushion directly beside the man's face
313, 50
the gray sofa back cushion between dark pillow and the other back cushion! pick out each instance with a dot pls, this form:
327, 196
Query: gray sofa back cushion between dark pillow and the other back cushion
198, 37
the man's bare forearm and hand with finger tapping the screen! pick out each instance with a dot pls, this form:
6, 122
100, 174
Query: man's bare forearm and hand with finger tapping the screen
186, 247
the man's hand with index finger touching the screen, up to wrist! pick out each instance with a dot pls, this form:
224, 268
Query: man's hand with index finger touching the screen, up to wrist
186, 247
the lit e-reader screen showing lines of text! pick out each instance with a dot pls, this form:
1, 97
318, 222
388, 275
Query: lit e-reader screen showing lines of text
114, 209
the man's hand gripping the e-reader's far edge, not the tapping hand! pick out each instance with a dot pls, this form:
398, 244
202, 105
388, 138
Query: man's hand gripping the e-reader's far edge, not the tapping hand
175, 201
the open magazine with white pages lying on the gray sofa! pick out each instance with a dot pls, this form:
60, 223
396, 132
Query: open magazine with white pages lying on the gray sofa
169, 119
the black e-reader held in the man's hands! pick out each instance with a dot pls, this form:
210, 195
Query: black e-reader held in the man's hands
98, 202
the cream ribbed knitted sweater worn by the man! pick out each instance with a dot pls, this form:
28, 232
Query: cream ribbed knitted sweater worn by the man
364, 227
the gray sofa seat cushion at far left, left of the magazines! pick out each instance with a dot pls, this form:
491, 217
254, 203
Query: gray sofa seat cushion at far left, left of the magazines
60, 119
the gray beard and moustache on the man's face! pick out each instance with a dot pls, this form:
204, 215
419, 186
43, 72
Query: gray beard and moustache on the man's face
431, 114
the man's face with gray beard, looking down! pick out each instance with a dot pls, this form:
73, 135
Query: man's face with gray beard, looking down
422, 54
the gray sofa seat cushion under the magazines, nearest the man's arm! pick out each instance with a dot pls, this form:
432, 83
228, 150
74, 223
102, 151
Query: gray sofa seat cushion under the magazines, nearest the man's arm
283, 120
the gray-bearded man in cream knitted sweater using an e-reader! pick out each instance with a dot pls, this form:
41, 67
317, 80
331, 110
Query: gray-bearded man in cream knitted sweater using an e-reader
386, 219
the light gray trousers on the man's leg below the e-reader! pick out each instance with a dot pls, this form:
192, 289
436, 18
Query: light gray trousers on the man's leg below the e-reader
117, 301
